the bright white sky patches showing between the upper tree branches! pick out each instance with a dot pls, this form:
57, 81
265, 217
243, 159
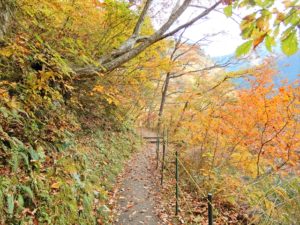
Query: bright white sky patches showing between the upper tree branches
228, 39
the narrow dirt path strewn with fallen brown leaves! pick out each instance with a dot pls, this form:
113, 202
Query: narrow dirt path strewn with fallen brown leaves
138, 188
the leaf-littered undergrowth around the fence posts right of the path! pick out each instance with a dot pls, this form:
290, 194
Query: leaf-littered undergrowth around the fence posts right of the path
237, 199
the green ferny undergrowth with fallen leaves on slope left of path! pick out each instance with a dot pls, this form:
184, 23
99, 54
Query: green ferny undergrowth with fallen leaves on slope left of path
68, 188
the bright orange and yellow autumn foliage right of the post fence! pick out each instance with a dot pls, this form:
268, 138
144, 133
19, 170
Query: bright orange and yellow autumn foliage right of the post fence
236, 140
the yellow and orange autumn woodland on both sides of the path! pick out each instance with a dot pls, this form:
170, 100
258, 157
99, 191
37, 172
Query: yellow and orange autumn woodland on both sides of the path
78, 77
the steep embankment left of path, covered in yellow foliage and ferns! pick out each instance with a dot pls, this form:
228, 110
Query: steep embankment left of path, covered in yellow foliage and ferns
62, 139
